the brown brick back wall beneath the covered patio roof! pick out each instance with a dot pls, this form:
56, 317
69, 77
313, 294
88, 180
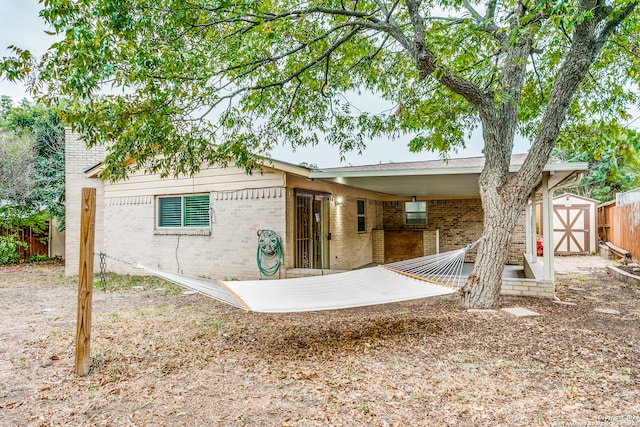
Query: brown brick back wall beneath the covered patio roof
459, 222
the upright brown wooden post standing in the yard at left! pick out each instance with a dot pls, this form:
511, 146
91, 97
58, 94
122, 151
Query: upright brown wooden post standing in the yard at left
85, 281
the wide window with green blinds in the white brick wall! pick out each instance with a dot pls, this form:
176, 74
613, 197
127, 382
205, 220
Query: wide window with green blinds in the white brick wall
183, 211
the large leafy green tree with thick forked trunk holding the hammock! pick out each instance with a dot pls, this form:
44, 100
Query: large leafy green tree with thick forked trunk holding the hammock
170, 85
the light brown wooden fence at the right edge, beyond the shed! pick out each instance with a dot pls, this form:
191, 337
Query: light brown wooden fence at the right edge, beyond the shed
624, 230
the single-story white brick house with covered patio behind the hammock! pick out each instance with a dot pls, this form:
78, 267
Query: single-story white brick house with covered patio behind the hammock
328, 220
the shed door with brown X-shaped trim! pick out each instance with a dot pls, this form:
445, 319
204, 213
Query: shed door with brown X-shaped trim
571, 229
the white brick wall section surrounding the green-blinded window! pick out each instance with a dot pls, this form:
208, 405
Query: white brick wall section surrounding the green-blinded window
227, 250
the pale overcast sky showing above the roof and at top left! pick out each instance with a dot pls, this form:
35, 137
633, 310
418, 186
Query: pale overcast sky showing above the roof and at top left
21, 25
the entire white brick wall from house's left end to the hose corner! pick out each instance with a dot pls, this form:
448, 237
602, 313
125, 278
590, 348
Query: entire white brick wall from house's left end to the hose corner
125, 226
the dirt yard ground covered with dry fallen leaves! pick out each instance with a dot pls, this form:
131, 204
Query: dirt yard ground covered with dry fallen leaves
168, 359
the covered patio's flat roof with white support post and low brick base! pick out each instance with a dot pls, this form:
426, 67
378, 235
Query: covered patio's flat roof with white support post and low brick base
458, 179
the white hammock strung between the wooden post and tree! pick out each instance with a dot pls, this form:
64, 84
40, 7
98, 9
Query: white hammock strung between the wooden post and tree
417, 278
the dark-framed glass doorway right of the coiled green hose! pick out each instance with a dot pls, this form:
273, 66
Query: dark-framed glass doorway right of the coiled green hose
312, 230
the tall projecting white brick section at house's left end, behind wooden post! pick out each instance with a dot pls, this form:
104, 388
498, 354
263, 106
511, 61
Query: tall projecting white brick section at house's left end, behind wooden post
77, 159
